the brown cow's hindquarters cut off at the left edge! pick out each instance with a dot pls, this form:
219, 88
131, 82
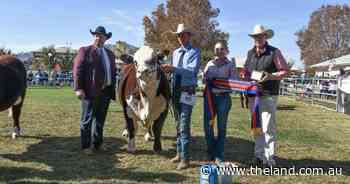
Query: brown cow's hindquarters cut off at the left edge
12, 88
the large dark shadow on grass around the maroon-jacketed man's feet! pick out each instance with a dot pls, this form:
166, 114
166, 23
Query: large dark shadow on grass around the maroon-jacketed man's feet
60, 159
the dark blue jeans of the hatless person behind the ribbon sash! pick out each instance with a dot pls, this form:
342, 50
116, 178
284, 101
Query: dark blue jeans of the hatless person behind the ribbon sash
222, 105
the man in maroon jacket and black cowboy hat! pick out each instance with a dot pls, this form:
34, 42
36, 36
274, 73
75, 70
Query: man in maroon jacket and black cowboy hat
94, 84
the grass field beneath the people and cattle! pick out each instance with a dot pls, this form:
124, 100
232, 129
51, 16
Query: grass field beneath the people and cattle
49, 151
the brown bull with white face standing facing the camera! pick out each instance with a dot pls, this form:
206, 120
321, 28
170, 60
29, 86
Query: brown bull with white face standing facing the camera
144, 93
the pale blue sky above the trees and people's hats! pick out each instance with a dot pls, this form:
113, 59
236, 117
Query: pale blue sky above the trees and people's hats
32, 24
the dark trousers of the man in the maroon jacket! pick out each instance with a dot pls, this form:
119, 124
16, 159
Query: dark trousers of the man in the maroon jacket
93, 115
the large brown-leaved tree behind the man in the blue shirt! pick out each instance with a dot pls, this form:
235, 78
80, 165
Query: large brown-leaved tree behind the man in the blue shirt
198, 15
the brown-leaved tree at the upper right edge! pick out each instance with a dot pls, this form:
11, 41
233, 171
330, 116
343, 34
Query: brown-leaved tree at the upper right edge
327, 35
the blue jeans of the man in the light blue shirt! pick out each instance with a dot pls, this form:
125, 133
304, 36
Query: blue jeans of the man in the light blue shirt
183, 128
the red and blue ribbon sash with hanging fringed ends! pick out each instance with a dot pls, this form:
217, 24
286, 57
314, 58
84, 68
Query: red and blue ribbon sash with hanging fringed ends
238, 86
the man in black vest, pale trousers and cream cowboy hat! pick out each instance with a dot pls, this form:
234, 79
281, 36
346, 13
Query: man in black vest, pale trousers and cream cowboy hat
271, 67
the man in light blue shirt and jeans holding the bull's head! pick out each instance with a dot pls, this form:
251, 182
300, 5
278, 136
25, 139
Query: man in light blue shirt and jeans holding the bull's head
185, 66
